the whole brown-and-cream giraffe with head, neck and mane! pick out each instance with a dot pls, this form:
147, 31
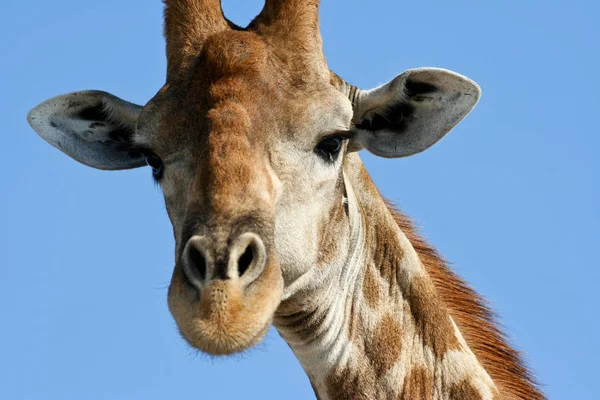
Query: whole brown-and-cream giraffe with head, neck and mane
255, 144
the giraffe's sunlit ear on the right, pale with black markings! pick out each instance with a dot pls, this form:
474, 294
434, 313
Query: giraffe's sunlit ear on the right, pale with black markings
412, 112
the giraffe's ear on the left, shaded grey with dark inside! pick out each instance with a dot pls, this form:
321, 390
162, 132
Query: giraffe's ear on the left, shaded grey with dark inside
93, 127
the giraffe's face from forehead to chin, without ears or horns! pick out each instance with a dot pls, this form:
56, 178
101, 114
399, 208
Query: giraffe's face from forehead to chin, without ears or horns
248, 154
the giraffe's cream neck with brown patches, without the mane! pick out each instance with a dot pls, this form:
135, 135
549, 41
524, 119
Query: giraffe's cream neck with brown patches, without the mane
370, 325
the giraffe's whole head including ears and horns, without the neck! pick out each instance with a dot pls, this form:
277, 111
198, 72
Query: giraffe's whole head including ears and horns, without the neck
247, 139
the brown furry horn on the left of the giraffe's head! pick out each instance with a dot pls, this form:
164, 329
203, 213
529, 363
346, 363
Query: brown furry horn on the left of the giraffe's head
187, 24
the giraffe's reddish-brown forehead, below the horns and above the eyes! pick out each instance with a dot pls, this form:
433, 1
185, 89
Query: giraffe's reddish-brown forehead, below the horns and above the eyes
272, 96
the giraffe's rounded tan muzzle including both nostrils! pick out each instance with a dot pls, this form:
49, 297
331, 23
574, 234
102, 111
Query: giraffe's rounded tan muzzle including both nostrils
224, 296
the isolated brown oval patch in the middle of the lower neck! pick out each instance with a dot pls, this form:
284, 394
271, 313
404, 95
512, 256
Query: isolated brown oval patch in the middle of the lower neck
384, 349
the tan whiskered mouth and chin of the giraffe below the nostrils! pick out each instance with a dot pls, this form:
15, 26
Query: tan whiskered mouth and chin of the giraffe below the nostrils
225, 318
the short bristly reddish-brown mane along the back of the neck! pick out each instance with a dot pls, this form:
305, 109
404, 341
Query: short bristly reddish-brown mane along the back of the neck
474, 318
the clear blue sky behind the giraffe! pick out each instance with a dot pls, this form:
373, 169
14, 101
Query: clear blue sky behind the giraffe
511, 196
